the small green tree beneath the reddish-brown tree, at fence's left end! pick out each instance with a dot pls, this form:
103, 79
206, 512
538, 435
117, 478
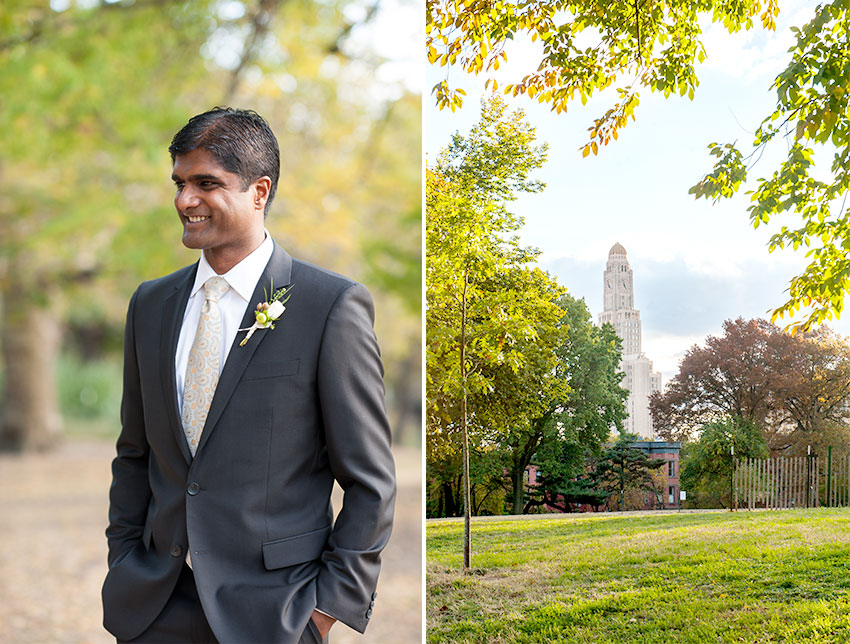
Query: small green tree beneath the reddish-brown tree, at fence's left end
706, 465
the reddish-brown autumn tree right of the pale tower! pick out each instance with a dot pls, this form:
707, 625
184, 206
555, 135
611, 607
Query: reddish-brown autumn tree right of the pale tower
795, 388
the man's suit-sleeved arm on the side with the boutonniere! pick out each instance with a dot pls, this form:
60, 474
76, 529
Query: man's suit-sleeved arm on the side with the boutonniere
351, 394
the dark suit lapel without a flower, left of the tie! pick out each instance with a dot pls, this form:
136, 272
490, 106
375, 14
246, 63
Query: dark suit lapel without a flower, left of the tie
172, 319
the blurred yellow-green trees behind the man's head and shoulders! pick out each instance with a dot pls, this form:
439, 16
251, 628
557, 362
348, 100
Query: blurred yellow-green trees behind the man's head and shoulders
91, 93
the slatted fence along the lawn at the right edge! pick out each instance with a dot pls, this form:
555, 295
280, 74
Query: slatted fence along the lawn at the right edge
791, 482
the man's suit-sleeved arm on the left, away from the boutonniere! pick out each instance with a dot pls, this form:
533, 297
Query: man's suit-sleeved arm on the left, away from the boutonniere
130, 493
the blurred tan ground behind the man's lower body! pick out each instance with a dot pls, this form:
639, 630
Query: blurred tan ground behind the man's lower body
53, 511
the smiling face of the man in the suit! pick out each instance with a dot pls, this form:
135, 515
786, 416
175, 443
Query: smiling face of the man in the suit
218, 216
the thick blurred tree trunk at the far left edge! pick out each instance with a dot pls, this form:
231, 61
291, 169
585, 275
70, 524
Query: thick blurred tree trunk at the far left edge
30, 418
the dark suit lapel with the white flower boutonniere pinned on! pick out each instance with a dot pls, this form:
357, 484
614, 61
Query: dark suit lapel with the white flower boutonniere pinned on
279, 271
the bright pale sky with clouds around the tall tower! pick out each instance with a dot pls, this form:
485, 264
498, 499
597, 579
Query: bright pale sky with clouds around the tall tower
695, 264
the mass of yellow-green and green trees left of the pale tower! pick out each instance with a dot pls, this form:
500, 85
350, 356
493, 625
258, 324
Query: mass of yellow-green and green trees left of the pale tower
516, 370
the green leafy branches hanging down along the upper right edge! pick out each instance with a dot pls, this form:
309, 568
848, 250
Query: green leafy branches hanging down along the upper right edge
811, 121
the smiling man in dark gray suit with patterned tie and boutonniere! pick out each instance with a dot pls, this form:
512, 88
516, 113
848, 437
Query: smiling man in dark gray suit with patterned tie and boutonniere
220, 522
